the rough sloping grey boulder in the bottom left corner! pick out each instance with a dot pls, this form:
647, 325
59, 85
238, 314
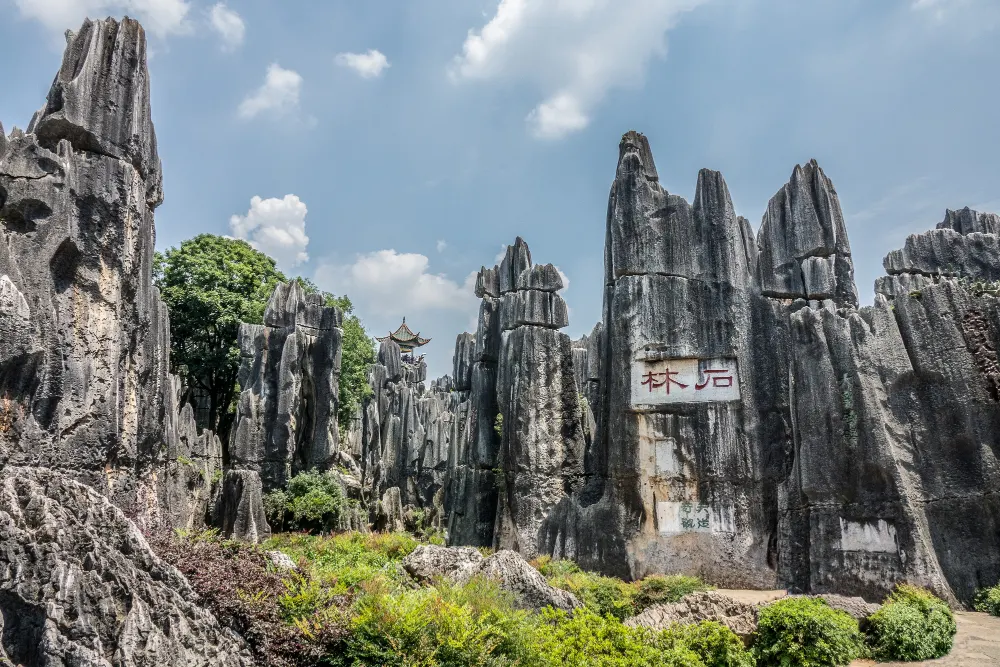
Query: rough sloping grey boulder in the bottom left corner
81, 585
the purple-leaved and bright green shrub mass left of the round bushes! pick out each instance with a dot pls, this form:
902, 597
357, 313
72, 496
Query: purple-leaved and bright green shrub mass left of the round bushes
351, 603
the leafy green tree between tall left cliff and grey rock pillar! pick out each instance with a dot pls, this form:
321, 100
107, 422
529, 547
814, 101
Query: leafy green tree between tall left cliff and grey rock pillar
211, 284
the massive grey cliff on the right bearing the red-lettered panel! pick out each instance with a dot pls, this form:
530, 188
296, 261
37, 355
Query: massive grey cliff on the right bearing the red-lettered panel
754, 426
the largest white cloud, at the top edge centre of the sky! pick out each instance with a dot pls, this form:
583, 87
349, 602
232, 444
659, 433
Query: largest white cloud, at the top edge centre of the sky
573, 51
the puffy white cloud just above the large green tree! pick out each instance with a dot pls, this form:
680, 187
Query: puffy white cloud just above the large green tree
276, 227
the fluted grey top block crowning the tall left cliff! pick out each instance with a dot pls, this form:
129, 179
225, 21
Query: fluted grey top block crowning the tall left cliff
99, 99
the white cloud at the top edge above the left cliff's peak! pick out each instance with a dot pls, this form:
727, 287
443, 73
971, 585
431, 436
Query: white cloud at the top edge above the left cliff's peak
159, 17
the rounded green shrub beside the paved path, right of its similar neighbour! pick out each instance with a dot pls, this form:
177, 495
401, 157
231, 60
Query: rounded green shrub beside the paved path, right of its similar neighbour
913, 624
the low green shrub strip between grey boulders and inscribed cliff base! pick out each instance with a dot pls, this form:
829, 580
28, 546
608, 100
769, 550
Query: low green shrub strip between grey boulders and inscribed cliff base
610, 596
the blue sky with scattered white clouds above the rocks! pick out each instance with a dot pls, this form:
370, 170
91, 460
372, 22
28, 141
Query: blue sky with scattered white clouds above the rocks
388, 149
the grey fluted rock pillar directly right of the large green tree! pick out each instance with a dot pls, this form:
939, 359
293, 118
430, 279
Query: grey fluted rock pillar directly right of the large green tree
286, 418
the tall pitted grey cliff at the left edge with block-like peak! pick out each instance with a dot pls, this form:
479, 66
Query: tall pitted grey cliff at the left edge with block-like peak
84, 355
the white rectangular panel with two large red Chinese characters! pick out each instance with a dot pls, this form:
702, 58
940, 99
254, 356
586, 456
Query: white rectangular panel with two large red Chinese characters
684, 381
